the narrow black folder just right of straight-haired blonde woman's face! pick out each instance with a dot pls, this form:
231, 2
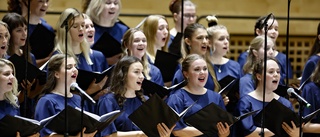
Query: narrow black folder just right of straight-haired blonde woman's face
175, 46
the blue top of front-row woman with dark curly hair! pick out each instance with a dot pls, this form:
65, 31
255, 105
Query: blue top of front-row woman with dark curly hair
108, 103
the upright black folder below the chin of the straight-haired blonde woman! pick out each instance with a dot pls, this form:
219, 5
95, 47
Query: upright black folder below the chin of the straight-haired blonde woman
167, 63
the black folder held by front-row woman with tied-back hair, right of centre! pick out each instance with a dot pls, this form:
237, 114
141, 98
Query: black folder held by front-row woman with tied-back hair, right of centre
206, 119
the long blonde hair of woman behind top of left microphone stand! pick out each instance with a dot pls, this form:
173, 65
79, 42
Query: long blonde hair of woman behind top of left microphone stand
61, 34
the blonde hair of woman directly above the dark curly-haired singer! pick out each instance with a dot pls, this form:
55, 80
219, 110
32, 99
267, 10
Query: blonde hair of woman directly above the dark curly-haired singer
127, 41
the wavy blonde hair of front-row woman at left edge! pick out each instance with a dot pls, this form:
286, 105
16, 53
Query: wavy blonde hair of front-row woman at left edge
10, 96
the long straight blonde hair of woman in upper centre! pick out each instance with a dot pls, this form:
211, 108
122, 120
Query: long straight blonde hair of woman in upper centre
150, 28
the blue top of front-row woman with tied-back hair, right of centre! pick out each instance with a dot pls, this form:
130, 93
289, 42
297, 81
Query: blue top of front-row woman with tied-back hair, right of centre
182, 99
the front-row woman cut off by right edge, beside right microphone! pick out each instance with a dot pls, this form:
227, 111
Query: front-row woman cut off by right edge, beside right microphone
311, 93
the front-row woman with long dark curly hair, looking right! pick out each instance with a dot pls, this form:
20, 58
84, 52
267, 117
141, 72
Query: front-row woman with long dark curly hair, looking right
126, 95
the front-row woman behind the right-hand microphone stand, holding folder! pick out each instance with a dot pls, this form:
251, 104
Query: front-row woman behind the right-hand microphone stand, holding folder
254, 101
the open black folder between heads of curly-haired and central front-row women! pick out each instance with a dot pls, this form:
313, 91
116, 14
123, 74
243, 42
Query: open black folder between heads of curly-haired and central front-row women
150, 88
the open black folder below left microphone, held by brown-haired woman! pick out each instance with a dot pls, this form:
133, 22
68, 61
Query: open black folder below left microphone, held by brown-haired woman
91, 122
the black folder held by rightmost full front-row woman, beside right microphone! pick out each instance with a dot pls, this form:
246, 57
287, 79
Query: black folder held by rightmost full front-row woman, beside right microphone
276, 113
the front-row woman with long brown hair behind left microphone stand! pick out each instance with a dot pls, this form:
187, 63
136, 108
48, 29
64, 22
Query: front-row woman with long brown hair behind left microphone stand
52, 101
